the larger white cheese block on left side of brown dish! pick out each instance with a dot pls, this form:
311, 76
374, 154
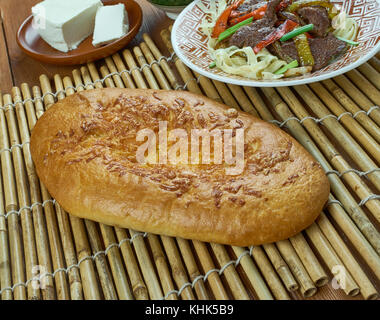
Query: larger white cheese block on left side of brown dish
64, 24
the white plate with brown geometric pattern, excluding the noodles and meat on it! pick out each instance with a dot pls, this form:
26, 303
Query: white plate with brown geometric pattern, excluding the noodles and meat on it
190, 44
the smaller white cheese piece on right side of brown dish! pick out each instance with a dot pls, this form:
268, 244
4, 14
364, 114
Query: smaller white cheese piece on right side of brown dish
111, 23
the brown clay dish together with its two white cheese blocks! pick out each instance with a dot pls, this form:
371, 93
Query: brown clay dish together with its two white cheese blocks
74, 32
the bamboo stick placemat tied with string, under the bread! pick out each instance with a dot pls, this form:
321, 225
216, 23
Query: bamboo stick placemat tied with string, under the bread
47, 254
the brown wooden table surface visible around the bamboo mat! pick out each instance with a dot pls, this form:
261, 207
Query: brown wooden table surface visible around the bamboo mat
17, 68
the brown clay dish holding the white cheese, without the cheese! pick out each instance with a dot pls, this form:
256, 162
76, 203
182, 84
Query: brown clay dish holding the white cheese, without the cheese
33, 45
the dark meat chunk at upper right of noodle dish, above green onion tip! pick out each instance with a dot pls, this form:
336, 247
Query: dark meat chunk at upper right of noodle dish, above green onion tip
318, 17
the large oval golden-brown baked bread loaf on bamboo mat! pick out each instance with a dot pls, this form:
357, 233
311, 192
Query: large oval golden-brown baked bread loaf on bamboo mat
84, 150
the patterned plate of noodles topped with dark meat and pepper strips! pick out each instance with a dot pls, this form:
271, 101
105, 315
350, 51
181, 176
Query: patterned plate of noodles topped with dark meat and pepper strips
268, 43
